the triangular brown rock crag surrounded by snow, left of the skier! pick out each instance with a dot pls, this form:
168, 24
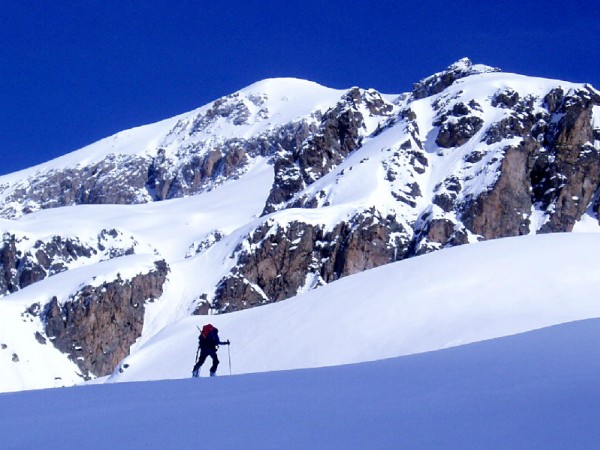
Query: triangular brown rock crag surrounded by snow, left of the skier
98, 324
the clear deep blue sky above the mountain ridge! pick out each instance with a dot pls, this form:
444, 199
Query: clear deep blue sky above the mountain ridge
73, 72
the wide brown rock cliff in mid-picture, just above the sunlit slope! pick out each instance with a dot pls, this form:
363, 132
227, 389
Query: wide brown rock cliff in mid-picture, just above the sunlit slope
279, 261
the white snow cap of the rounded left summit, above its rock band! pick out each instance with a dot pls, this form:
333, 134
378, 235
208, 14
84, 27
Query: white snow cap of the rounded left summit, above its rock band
282, 100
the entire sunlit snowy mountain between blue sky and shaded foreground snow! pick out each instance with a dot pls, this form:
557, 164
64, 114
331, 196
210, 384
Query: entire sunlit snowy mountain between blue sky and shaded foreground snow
285, 187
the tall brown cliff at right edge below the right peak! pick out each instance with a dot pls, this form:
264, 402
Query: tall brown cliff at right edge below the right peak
555, 168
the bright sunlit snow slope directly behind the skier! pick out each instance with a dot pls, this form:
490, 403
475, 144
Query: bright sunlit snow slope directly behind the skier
448, 298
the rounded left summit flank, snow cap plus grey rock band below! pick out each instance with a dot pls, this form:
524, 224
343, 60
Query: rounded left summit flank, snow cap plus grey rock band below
175, 157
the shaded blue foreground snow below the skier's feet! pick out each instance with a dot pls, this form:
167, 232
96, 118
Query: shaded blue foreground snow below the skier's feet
533, 390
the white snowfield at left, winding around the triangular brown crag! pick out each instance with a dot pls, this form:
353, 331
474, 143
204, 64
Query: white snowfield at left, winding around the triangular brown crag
187, 221
